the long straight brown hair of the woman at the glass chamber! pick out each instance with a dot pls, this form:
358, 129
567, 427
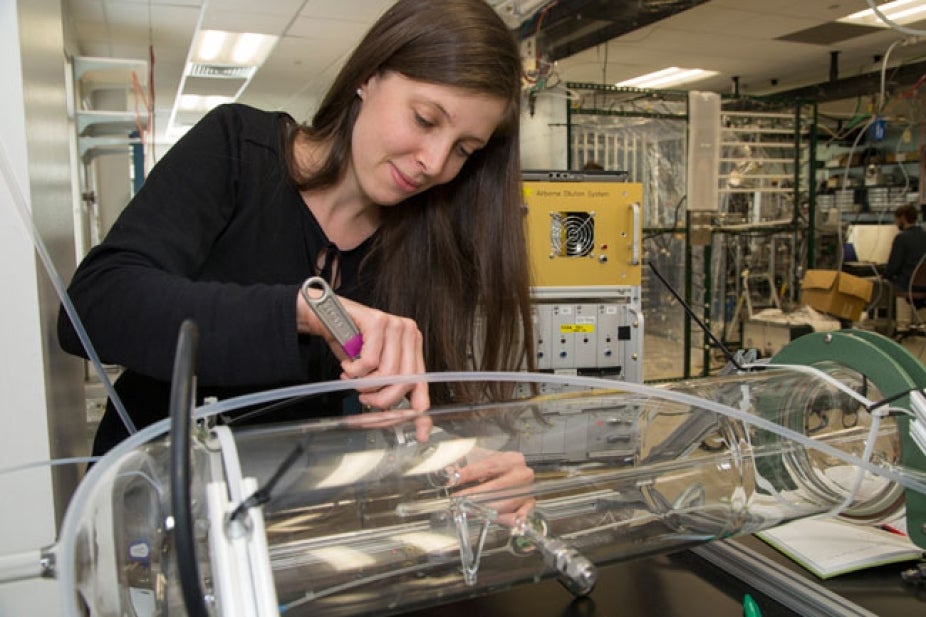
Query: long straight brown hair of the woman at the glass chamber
453, 258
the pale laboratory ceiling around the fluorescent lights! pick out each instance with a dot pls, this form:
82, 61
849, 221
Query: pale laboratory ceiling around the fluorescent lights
760, 45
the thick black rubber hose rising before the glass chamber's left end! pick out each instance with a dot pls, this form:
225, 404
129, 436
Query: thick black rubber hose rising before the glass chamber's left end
181, 412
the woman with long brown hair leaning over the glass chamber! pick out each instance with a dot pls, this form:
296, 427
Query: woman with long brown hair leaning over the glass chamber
403, 193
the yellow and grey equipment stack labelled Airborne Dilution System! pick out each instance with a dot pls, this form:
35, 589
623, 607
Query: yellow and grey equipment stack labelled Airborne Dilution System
585, 240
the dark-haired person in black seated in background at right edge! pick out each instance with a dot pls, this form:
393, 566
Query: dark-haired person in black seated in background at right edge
907, 250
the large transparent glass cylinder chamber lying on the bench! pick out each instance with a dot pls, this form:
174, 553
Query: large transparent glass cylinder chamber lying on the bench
350, 518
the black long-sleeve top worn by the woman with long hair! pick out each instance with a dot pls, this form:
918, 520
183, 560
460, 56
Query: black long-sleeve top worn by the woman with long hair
218, 234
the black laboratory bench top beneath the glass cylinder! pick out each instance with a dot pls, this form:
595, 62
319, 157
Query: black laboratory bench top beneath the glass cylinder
686, 584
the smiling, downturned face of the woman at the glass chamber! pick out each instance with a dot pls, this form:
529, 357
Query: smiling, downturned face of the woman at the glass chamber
411, 136
